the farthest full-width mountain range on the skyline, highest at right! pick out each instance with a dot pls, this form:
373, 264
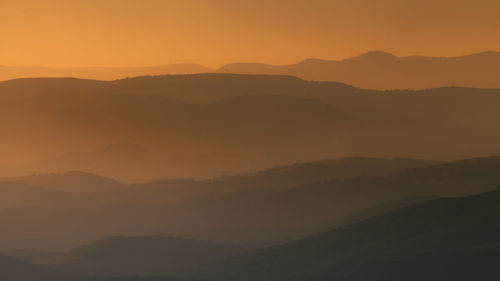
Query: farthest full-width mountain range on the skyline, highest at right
373, 70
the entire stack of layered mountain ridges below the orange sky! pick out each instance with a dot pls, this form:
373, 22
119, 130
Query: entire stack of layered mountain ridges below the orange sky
250, 177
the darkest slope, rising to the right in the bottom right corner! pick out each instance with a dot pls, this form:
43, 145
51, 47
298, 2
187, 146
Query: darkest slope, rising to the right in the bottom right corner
443, 239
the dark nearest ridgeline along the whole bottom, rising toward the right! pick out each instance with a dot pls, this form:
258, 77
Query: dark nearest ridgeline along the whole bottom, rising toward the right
441, 239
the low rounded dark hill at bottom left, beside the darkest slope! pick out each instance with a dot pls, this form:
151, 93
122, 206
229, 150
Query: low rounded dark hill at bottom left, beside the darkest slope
140, 256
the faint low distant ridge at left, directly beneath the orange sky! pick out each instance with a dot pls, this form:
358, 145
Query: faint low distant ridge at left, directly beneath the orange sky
99, 73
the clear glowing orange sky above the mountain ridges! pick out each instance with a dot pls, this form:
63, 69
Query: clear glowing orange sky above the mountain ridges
215, 32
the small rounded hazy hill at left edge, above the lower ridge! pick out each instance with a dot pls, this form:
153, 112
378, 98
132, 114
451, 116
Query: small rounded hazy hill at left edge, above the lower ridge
73, 181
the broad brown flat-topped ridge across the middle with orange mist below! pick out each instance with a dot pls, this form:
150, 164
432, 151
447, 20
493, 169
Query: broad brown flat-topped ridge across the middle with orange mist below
215, 124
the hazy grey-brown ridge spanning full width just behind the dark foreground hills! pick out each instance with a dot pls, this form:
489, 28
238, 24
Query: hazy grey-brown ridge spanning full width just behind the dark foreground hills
252, 210
